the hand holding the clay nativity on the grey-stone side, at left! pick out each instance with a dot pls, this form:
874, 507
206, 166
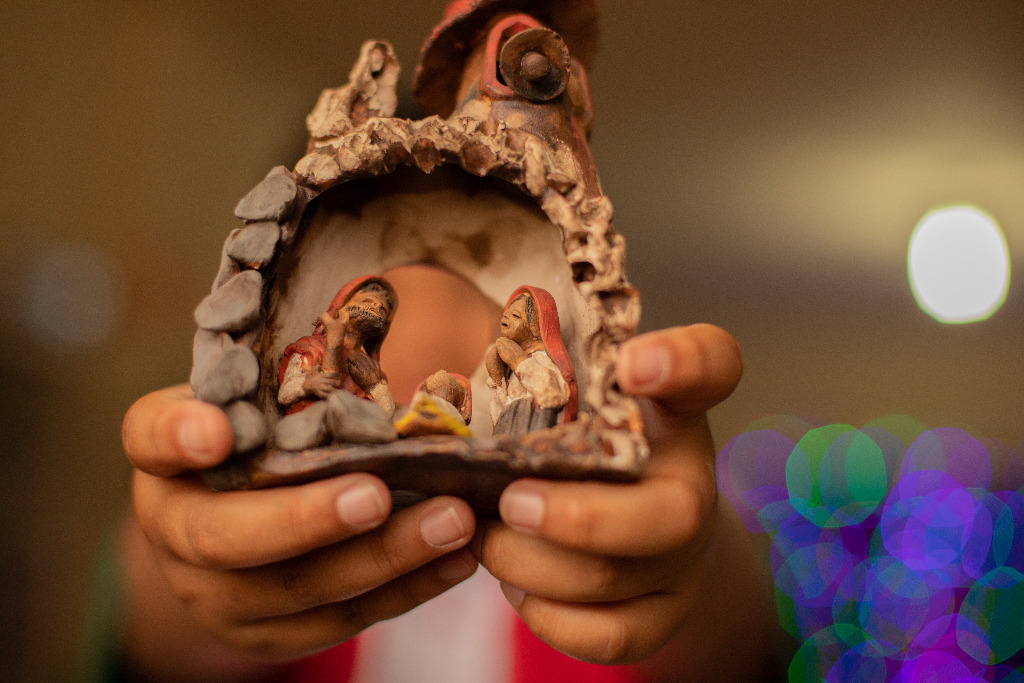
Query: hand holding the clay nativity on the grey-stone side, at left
281, 573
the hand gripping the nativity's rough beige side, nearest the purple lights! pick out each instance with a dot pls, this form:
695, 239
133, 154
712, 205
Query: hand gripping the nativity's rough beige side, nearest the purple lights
611, 573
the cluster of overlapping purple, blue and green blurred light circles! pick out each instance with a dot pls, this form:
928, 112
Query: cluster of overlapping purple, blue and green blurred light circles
900, 560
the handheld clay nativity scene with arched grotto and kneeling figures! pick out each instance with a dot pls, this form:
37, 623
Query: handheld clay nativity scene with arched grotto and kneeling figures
495, 185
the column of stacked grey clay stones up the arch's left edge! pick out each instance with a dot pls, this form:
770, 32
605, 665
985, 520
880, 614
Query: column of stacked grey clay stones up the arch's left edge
226, 370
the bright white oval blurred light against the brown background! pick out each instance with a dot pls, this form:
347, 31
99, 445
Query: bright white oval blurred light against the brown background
959, 265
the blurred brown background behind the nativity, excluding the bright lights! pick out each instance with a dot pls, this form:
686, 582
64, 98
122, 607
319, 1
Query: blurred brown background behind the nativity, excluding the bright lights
769, 163
